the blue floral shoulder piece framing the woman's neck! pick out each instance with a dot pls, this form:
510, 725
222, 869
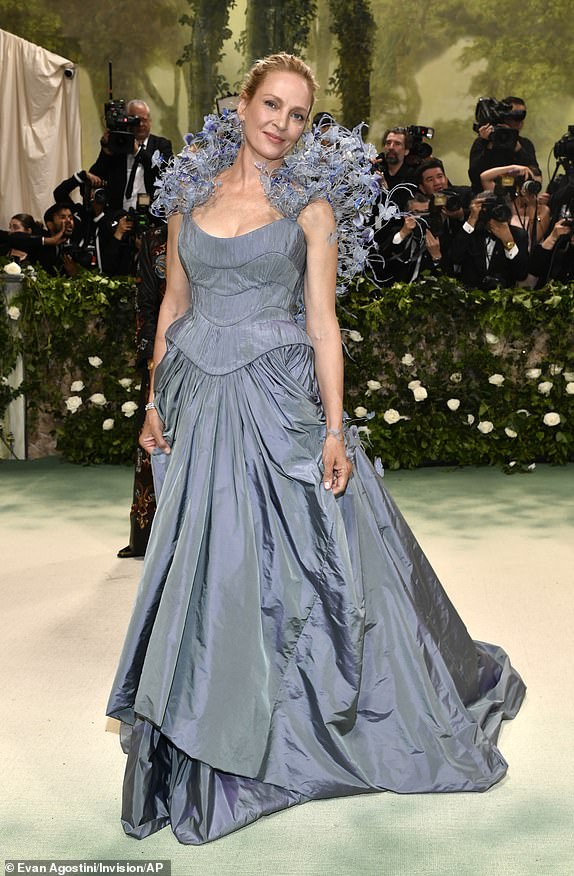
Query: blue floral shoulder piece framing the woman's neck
332, 165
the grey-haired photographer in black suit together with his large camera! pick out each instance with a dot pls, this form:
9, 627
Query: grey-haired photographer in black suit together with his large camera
125, 159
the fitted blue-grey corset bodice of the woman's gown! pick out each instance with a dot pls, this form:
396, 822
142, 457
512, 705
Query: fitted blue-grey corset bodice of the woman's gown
245, 294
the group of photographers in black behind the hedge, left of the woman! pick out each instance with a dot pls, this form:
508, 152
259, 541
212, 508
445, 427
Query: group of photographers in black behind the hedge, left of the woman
102, 230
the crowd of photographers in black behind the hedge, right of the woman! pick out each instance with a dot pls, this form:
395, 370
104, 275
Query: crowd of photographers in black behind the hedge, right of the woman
502, 230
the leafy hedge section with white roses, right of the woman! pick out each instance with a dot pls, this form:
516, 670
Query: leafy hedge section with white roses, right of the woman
440, 374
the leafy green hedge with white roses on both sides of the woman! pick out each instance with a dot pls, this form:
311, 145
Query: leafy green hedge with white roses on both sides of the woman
435, 373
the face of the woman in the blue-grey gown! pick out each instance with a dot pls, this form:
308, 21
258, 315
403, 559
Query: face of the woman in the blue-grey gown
275, 117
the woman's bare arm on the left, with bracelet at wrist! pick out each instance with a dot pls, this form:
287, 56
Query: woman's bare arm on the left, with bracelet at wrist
175, 303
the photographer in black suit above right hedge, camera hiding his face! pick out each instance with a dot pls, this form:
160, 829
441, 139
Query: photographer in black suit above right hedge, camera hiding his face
488, 252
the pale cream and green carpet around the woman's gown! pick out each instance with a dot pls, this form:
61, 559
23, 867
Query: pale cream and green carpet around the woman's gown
504, 549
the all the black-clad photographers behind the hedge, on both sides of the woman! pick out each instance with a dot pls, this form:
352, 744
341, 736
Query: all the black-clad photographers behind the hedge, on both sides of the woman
500, 230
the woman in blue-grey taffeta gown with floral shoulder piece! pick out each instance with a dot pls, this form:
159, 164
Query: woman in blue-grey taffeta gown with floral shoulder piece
289, 639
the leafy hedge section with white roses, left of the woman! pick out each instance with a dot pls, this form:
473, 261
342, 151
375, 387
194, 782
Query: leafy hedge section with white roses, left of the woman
77, 340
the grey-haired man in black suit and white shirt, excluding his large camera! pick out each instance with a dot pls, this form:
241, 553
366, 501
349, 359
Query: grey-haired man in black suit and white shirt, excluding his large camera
126, 176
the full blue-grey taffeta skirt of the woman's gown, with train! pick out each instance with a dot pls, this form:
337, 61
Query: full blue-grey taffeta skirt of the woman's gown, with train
287, 645
